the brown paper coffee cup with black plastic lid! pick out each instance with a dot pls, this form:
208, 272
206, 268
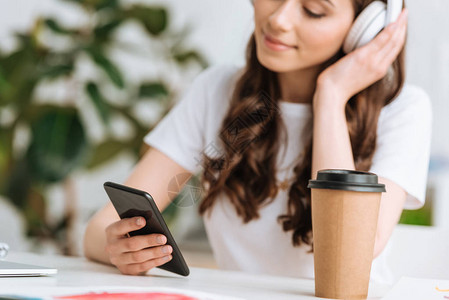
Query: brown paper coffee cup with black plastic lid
345, 208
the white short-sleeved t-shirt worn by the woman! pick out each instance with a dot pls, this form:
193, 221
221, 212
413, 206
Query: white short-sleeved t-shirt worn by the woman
261, 246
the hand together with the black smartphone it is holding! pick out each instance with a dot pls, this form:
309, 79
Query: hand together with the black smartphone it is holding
141, 240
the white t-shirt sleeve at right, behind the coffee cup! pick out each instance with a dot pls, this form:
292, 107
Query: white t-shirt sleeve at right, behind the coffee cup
403, 143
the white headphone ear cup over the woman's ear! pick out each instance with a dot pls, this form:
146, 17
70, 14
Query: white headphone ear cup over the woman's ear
367, 25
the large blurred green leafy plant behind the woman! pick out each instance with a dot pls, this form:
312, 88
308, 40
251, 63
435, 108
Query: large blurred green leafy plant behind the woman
43, 143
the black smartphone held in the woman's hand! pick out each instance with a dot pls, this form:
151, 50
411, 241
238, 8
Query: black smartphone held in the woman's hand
130, 202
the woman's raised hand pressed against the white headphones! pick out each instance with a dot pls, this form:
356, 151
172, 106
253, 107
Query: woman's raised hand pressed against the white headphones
365, 65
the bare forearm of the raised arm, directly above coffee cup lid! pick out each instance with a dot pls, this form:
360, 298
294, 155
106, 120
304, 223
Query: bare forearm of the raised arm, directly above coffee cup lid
331, 141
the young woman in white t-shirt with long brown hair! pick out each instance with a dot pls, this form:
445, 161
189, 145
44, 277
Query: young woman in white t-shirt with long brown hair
258, 133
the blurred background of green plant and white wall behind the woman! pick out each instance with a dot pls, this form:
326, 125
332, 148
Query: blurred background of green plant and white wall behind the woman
82, 81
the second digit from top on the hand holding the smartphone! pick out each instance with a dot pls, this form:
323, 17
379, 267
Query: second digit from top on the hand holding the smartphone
136, 243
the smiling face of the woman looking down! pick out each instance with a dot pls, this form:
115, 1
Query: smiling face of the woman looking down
300, 34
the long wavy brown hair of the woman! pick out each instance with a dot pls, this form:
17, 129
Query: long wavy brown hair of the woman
250, 139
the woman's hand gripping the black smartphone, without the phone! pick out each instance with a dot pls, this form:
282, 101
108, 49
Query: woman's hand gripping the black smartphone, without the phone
137, 254
